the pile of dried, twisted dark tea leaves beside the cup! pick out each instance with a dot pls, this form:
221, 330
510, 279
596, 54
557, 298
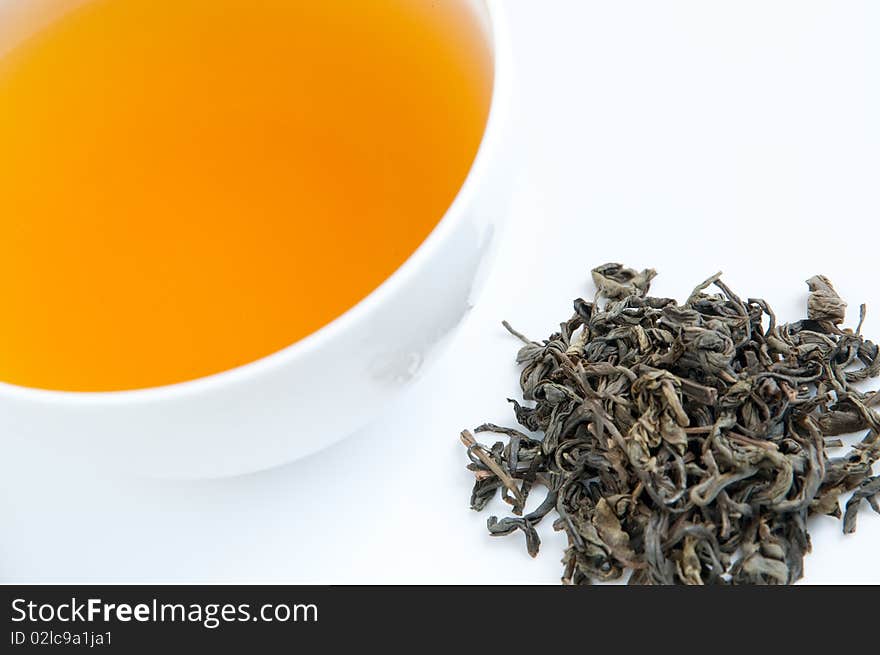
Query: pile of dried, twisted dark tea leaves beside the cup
686, 443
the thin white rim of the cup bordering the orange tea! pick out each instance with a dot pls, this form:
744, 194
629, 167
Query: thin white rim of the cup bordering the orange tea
498, 109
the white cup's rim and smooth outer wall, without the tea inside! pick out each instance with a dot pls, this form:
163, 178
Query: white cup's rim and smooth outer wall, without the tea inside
318, 390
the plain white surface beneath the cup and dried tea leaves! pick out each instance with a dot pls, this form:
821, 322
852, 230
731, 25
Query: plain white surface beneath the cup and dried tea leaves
651, 128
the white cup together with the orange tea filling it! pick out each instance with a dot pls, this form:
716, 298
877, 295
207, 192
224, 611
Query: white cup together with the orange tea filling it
154, 330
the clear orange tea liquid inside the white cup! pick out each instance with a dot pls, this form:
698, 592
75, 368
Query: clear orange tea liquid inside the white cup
189, 185
